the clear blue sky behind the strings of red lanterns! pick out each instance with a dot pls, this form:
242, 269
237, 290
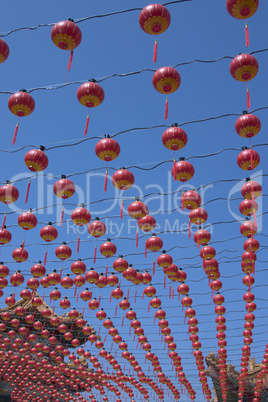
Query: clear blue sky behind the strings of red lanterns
116, 44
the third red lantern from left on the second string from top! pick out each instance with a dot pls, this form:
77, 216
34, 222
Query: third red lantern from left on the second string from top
166, 80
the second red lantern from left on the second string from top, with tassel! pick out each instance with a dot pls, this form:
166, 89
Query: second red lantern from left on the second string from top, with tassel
90, 94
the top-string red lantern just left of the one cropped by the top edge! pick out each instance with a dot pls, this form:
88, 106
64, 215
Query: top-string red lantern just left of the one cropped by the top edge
154, 20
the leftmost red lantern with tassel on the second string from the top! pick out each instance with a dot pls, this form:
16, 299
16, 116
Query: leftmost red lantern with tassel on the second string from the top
20, 104
